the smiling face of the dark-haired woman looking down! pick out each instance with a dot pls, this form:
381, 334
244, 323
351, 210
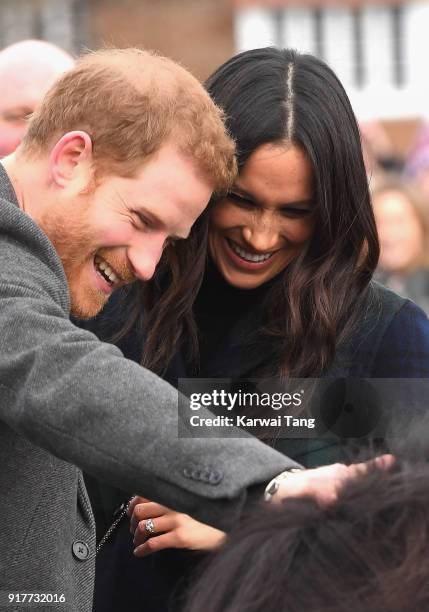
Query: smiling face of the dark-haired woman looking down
261, 226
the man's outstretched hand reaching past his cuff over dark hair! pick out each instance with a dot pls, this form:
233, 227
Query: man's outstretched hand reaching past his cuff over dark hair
323, 483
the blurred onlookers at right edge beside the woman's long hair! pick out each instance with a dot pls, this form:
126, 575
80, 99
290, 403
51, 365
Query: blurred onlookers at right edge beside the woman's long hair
400, 196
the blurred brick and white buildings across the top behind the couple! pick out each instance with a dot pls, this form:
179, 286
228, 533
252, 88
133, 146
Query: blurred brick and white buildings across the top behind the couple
378, 48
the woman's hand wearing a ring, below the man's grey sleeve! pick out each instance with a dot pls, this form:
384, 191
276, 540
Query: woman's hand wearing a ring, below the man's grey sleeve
171, 529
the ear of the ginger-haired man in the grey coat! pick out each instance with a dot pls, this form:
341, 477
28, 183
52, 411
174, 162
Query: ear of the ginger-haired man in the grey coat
70, 162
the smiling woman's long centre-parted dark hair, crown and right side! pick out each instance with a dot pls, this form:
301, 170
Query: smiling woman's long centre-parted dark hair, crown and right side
278, 95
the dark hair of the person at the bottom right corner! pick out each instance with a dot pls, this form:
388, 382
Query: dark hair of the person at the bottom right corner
366, 553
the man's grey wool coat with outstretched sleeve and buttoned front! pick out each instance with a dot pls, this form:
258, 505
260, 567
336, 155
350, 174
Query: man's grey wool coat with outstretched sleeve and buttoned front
69, 402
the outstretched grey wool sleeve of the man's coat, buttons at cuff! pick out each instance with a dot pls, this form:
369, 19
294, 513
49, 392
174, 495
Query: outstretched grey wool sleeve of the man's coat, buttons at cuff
81, 400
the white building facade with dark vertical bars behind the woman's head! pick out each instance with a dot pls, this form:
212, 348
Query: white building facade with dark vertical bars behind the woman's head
378, 49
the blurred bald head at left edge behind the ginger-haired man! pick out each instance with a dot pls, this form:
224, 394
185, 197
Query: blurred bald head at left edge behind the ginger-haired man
27, 70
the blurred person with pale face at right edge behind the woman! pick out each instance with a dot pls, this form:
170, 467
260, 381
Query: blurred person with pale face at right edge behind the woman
403, 228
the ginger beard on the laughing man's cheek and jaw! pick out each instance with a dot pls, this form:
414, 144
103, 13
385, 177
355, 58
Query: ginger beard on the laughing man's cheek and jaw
72, 236
